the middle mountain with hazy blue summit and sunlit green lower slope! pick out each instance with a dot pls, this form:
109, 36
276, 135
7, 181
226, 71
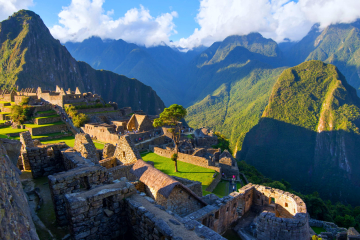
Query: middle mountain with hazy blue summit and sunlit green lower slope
239, 74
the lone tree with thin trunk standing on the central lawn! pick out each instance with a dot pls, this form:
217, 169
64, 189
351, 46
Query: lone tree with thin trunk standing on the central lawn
171, 117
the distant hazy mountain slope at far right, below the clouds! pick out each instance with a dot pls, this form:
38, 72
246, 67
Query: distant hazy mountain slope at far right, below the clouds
337, 44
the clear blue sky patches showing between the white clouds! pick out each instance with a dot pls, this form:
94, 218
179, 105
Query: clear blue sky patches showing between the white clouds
186, 9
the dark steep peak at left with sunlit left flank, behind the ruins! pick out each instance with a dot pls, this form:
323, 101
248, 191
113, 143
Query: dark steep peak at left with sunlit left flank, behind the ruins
31, 57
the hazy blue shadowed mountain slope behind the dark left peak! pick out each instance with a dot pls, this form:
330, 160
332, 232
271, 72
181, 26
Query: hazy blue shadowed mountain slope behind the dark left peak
155, 66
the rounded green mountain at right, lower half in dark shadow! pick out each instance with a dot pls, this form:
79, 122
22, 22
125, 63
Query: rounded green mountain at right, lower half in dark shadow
309, 133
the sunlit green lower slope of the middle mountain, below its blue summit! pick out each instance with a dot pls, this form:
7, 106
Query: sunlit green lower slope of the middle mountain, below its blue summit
234, 108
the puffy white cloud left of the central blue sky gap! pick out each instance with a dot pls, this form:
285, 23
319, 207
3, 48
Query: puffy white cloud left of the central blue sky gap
86, 18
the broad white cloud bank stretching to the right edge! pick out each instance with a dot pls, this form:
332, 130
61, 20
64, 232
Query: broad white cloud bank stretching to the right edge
276, 19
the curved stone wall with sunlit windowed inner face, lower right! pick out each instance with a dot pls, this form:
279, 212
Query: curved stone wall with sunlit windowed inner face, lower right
268, 224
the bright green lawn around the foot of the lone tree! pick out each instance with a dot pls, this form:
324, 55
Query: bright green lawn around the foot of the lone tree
185, 170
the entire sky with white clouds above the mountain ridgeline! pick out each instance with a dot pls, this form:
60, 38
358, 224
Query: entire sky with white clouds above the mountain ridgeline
185, 23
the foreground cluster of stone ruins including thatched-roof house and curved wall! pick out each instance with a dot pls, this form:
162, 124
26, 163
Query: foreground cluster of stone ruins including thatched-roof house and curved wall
121, 196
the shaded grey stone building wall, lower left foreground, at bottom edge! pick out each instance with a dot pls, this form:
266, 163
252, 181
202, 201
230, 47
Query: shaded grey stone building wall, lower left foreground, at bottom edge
100, 212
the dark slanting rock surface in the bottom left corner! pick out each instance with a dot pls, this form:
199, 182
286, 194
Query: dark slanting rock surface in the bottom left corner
15, 217
